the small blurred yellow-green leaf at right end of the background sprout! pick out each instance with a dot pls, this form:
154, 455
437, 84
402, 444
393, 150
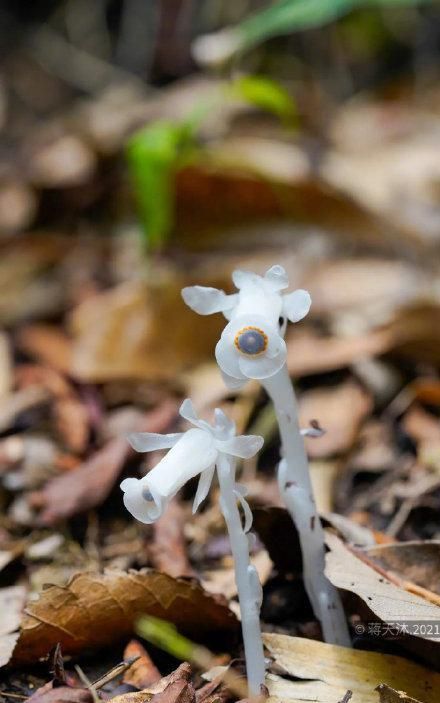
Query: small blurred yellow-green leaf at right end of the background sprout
267, 95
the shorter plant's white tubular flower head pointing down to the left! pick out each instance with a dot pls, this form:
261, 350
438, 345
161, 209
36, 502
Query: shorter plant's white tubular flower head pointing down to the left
192, 453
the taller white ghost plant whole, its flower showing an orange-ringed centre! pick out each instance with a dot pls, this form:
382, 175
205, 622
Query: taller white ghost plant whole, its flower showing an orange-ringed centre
252, 346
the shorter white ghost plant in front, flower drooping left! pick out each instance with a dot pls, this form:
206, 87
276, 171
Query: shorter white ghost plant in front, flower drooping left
201, 451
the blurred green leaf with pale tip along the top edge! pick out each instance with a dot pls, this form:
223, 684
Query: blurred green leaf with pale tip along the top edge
282, 17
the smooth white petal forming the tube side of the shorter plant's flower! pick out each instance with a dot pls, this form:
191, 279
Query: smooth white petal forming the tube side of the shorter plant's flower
192, 454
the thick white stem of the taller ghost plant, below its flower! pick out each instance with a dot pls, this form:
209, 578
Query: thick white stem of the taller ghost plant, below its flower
296, 489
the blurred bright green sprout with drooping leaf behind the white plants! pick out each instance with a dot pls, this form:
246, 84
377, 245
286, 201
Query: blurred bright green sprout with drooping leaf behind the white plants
158, 151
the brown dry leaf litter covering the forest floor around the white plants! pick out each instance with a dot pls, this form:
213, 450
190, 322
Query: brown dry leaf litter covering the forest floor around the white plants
96, 343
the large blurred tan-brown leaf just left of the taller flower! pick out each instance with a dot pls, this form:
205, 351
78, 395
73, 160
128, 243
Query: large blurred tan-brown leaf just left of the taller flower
139, 331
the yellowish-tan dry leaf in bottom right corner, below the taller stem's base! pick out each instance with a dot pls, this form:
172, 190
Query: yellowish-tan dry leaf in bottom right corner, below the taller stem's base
328, 671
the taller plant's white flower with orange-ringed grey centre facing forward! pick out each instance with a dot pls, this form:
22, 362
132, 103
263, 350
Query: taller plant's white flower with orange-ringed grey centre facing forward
251, 345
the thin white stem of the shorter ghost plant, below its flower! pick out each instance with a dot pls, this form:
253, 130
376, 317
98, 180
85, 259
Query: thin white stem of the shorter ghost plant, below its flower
246, 577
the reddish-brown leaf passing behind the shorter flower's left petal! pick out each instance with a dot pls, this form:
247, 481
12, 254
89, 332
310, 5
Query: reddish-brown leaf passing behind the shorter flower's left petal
89, 485
